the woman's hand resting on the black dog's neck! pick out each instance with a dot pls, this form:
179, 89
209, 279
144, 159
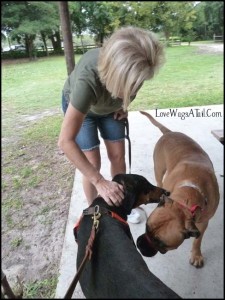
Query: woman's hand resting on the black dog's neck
111, 191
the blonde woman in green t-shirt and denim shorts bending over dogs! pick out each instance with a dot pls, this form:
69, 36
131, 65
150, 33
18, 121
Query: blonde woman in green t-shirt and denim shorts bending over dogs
96, 96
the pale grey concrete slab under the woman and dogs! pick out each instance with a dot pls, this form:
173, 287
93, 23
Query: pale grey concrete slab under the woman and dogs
173, 268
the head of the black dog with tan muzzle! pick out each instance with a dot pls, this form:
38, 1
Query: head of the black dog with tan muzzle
138, 190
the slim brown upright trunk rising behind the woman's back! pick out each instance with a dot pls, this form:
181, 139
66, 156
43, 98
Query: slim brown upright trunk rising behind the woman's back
67, 35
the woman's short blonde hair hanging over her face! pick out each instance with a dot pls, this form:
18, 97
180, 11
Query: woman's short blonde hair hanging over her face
130, 56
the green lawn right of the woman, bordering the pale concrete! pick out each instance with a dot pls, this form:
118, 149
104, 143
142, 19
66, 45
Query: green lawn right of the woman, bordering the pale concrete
187, 79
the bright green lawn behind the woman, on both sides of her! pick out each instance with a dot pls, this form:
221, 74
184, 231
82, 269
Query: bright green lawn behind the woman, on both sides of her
188, 78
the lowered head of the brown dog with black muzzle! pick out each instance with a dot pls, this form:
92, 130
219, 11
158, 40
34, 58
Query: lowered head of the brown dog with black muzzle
166, 229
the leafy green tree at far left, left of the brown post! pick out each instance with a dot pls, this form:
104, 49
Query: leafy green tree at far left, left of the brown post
24, 20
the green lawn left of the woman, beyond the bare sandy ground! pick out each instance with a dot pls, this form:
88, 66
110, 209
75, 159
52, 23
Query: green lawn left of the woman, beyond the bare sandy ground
33, 86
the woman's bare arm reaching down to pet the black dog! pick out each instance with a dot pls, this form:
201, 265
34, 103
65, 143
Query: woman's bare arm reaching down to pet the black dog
111, 191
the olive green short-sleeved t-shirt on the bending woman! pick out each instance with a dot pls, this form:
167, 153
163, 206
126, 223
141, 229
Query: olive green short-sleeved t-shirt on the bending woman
84, 89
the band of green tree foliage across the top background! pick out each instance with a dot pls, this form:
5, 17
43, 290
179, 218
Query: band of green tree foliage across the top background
24, 21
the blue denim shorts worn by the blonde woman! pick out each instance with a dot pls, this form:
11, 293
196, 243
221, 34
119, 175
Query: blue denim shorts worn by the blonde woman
109, 129
